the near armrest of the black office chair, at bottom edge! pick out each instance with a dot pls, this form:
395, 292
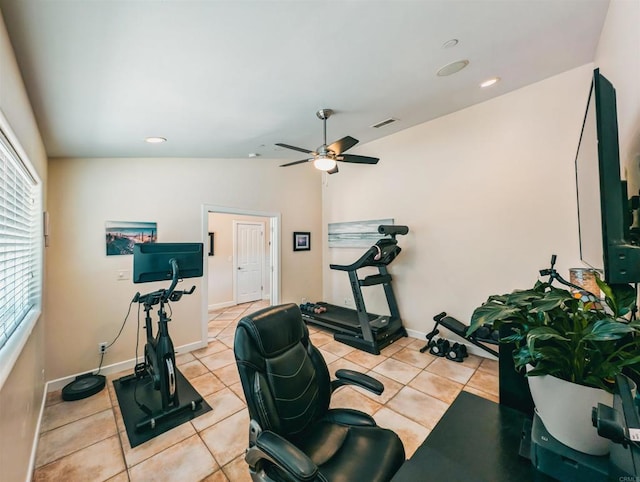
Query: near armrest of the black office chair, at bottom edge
284, 455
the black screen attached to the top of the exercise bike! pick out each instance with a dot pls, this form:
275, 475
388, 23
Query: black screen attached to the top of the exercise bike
152, 261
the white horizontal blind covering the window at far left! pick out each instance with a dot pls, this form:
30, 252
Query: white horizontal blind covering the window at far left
20, 241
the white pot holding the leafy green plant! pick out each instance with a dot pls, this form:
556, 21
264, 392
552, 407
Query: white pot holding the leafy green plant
565, 410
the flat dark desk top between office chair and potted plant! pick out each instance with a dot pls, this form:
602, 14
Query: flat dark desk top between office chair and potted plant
476, 440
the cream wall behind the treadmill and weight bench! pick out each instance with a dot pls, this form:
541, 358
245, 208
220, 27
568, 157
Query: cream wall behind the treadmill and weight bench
487, 192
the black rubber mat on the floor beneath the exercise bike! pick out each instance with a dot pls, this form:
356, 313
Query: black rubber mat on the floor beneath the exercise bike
148, 396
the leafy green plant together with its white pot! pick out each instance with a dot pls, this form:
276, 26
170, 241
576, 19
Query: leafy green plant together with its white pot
568, 342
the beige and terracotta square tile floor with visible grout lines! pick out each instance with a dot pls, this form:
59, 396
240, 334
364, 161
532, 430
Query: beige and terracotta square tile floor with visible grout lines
86, 440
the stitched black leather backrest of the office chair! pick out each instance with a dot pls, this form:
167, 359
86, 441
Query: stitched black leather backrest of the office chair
284, 377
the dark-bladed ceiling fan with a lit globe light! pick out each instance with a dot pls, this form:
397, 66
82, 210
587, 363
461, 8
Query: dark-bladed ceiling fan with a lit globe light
325, 157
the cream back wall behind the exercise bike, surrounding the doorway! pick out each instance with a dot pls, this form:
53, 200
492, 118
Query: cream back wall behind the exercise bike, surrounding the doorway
87, 303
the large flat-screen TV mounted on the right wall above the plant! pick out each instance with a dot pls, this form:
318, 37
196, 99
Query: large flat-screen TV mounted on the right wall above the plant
607, 204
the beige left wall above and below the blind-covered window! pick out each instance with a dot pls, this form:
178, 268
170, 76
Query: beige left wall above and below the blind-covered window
21, 394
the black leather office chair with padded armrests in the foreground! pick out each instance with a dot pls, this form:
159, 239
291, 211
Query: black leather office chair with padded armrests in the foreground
293, 435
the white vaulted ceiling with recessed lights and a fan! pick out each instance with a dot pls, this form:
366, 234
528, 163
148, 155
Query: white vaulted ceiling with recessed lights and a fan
227, 78
